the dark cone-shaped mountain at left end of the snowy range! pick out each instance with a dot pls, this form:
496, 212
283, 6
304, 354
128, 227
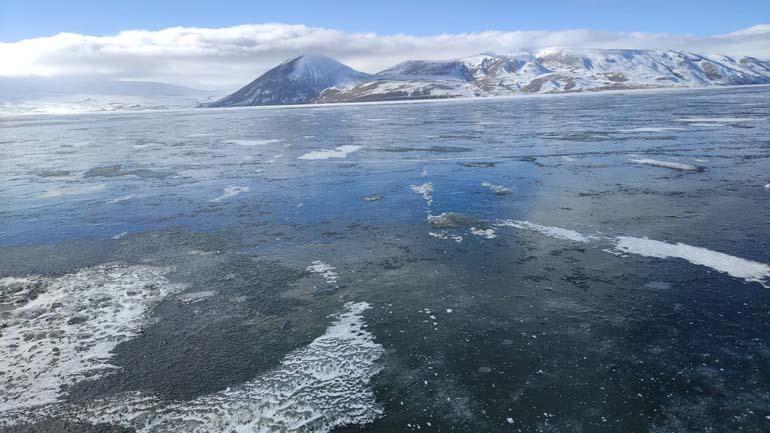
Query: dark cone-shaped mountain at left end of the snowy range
295, 81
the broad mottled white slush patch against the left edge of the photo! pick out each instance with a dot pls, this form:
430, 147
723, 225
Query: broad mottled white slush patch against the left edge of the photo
66, 333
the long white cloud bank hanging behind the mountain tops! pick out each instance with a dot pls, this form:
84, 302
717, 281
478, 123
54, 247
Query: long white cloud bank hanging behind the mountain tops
229, 57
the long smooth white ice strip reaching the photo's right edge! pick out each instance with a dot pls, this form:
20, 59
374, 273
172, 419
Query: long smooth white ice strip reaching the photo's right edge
746, 270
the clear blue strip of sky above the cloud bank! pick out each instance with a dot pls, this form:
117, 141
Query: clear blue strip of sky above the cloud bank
20, 19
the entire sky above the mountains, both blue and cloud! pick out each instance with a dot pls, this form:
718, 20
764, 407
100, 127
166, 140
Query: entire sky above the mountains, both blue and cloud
221, 44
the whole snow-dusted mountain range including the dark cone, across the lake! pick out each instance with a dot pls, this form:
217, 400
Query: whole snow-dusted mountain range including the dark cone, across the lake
317, 79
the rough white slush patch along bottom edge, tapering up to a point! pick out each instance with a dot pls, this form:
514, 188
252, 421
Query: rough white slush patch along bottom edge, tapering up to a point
315, 389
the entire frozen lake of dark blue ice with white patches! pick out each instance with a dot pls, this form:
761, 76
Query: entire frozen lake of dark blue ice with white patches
578, 263
